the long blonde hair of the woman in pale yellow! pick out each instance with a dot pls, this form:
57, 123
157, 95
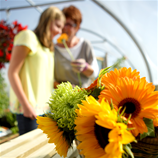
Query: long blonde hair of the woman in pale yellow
43, 31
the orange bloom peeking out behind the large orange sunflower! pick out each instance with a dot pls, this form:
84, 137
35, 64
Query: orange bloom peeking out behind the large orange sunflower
112, 76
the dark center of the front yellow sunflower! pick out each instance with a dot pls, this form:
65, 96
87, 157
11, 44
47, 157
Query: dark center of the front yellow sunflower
101, 134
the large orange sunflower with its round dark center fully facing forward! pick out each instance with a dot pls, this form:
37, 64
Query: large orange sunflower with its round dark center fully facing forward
137, 96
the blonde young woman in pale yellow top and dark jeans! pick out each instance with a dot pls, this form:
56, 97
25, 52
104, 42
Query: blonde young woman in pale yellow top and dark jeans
31, 70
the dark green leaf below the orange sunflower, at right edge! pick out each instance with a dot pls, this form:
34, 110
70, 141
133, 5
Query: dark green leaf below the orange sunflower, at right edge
151, 129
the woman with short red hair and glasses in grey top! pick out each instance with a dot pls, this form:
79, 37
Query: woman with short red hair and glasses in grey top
85, 62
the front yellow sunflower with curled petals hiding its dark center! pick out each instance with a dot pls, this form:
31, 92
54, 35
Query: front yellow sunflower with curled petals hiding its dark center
94, 122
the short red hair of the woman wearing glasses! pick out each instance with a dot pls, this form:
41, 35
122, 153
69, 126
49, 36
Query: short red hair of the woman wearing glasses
73, 13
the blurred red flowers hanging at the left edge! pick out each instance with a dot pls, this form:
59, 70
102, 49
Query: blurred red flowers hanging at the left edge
7, 33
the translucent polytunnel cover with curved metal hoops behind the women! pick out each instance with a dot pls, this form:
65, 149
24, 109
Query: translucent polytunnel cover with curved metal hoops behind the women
114, 28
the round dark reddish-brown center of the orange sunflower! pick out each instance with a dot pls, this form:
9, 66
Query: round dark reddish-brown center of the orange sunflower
131, 105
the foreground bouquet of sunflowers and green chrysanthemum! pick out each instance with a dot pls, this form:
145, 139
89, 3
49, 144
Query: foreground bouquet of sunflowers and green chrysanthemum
117, 111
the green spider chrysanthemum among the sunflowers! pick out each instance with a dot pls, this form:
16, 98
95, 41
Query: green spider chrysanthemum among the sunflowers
63, 103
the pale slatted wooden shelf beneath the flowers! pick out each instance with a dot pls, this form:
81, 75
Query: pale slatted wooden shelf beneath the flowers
32, 144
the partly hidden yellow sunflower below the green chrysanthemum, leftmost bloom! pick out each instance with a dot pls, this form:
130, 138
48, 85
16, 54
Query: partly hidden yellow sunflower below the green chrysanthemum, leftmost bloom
54, 134
